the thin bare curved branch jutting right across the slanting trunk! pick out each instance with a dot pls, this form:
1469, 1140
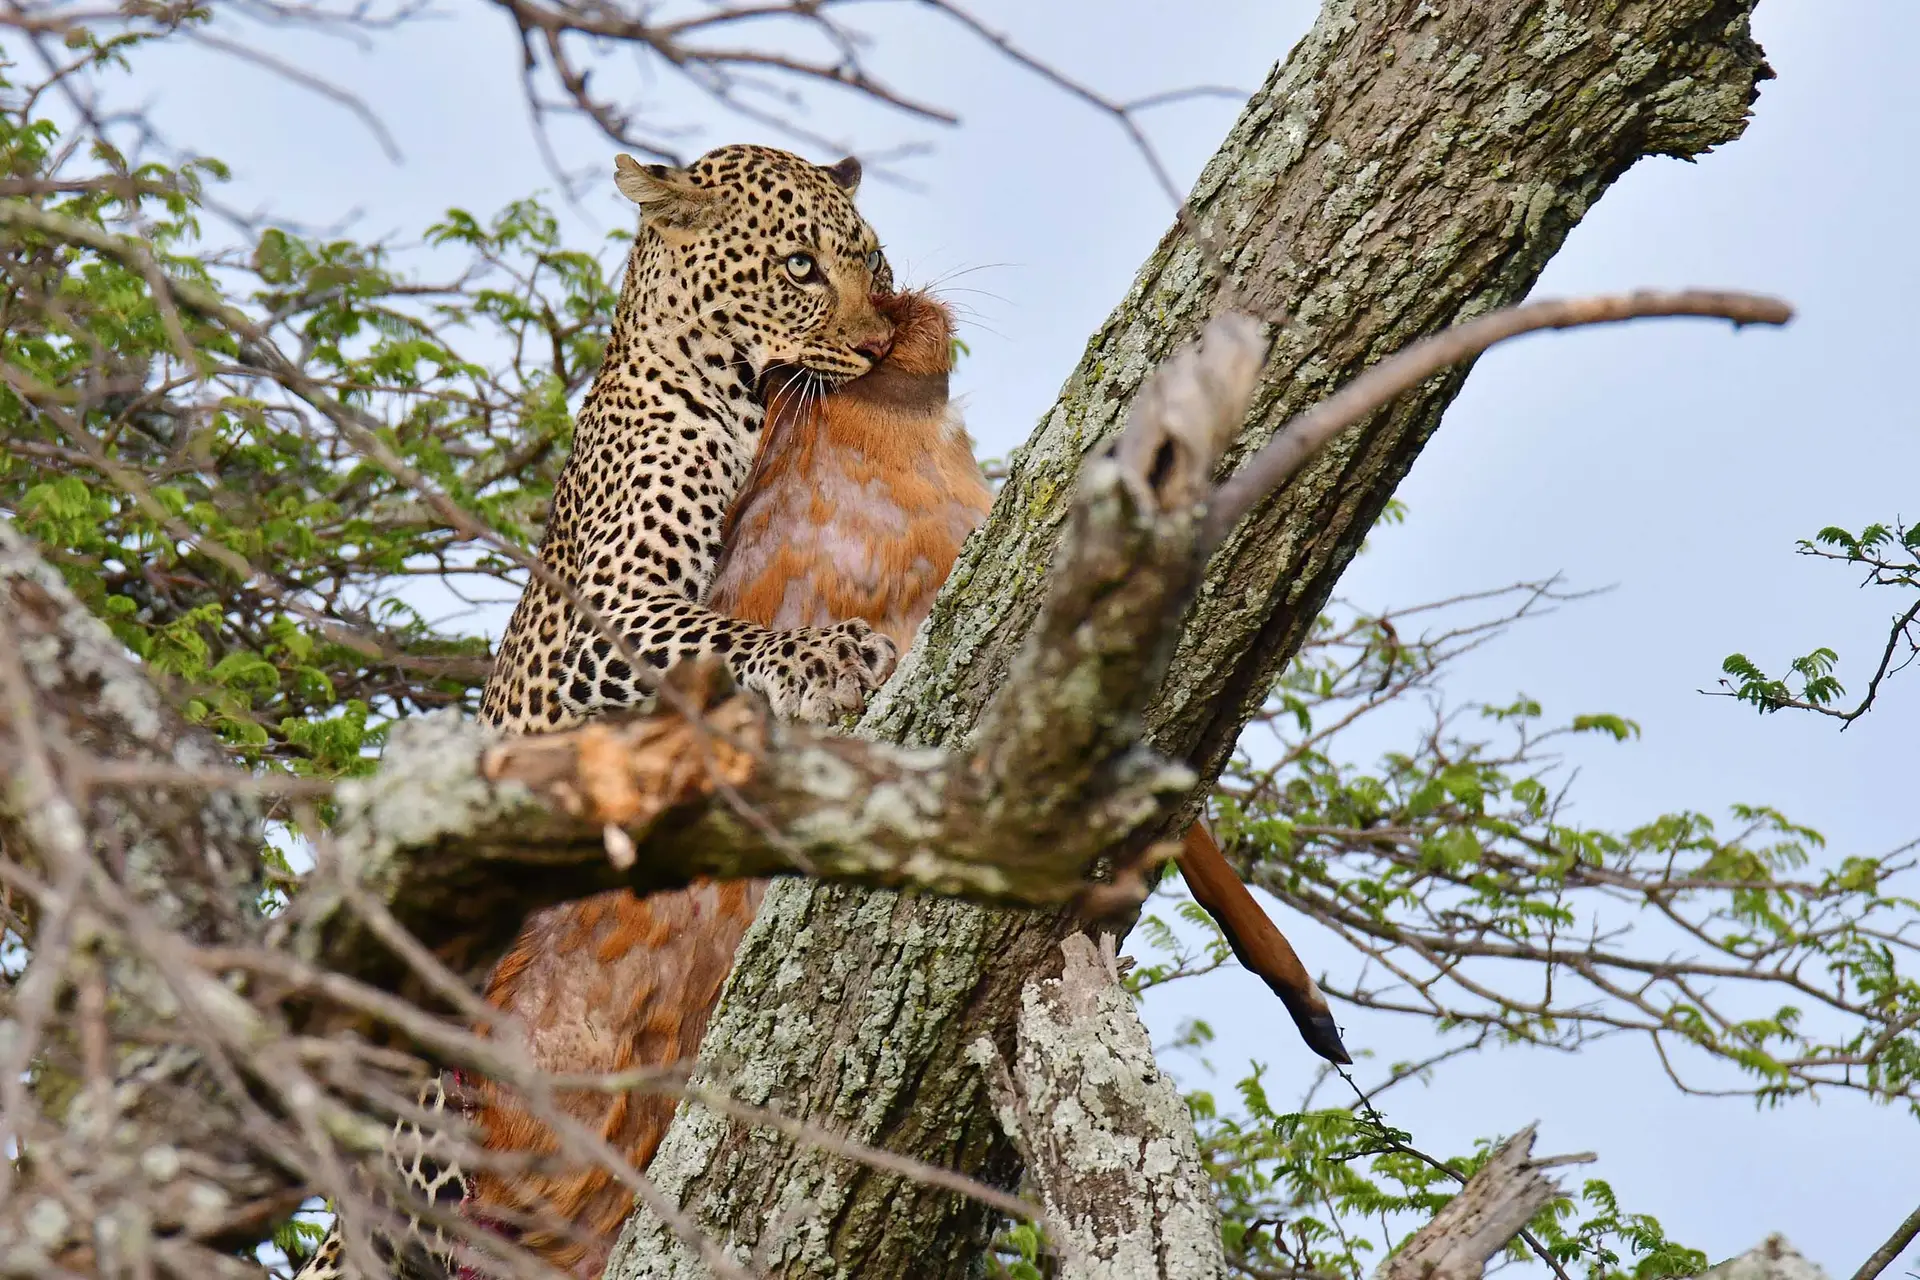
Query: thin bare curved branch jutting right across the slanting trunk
1374, 391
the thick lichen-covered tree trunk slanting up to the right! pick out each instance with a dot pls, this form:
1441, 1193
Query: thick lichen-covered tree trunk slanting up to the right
1412, 164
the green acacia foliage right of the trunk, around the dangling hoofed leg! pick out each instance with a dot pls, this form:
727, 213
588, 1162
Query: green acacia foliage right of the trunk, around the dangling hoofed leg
1470, 895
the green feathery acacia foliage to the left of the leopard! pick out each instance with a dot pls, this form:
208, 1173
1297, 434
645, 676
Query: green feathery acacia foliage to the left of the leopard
212, 502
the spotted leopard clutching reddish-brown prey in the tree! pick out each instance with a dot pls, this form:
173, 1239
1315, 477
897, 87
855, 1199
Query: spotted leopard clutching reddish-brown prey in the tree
746, 262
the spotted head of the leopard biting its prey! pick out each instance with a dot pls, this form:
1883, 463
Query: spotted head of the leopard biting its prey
765, 252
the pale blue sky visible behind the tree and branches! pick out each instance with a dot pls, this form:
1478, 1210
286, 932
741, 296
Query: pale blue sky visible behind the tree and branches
1677, 463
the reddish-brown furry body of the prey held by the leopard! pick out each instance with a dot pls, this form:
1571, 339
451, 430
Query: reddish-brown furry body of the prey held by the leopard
855, 508
